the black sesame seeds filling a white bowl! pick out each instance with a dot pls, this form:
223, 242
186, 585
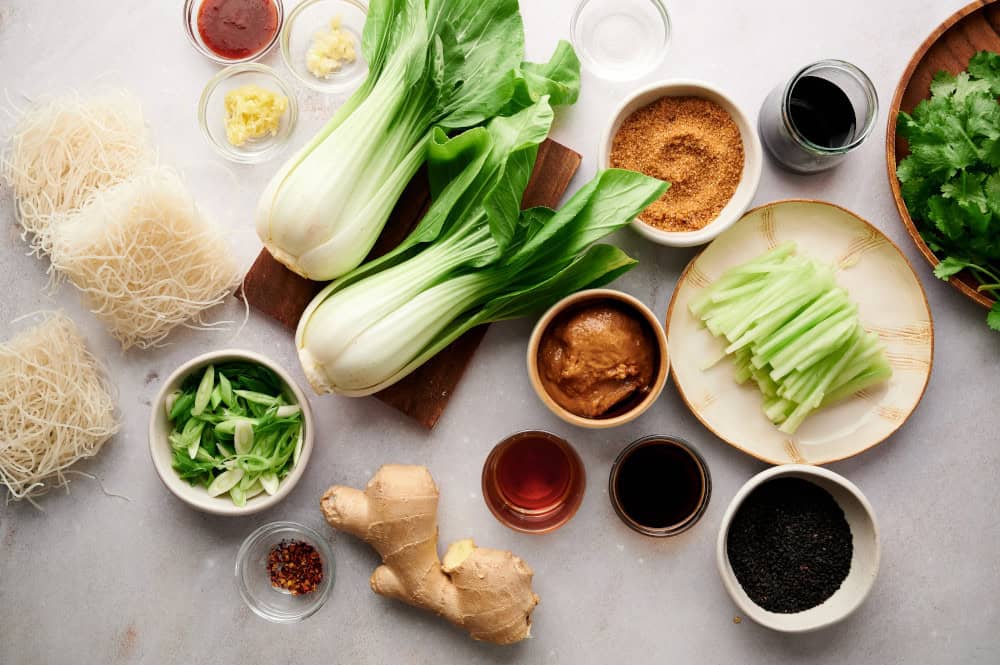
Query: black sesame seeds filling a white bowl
790, 545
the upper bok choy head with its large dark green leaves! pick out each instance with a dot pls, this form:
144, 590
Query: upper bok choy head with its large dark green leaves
449, 64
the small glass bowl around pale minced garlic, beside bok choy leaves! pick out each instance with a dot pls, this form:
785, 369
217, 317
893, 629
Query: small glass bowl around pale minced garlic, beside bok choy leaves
304, 22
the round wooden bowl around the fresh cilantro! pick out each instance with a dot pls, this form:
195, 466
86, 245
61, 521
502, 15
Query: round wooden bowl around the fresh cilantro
971, 29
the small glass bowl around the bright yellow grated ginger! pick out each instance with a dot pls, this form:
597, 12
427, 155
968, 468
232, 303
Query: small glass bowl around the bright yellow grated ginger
212, 113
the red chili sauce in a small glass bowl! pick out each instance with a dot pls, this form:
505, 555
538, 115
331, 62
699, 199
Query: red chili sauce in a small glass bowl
236, 29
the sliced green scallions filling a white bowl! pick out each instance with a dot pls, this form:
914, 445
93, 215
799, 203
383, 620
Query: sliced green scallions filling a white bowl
246, 436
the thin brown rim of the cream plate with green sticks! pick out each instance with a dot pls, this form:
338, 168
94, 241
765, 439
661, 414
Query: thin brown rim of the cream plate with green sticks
824, 462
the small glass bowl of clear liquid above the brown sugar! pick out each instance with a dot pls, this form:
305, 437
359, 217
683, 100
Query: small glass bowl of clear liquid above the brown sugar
621, 40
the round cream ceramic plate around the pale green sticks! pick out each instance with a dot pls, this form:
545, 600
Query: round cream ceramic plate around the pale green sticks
890, 300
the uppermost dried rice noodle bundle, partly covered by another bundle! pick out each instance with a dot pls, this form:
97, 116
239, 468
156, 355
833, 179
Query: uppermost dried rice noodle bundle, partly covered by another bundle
65, 149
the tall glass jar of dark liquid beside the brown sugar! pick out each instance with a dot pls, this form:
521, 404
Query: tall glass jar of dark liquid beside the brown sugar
824, 112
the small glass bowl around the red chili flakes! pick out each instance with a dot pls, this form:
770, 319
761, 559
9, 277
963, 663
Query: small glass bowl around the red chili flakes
254, 581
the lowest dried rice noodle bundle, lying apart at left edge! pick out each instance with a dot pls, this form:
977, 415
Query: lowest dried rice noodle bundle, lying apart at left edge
56, 406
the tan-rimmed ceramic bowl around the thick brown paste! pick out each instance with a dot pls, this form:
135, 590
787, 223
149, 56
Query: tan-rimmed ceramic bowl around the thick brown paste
630, 409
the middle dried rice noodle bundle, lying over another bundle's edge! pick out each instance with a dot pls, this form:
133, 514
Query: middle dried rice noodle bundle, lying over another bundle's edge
144, 257
